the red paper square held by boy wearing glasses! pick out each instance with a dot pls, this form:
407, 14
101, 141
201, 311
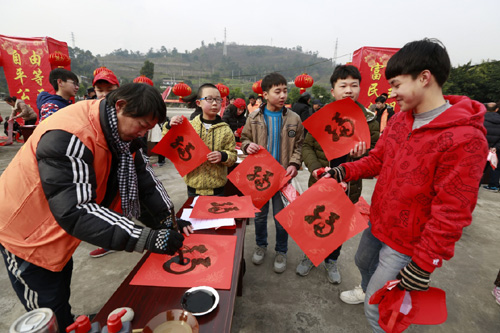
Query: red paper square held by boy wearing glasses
184, 147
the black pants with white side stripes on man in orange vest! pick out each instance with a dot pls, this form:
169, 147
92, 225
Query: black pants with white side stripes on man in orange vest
37, 287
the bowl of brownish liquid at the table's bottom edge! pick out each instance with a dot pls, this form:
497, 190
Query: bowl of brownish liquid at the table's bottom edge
173, 321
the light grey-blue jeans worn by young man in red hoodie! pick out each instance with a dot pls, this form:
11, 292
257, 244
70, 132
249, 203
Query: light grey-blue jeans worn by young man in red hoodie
389, 265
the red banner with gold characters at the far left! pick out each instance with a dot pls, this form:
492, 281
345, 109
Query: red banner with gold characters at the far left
26, 65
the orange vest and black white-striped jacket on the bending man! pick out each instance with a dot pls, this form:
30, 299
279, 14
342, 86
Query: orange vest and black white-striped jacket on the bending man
62, 186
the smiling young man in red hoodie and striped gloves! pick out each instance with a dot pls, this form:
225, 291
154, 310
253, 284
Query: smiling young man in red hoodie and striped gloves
429, 163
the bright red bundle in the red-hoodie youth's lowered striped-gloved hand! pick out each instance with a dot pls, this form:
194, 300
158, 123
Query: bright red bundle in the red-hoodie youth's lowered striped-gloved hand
398, 308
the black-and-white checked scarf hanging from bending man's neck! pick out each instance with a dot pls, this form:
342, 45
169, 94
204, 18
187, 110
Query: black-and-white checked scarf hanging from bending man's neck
127, 176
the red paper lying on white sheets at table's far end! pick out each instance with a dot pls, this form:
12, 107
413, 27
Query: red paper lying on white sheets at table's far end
212, 207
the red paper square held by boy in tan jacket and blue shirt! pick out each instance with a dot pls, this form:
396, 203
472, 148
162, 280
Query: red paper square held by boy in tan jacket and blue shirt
259, 176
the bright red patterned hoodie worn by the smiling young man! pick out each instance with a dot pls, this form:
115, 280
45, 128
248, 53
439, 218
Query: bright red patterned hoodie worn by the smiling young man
428, 180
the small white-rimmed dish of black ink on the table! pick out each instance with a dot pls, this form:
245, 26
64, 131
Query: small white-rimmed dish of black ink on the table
200, 300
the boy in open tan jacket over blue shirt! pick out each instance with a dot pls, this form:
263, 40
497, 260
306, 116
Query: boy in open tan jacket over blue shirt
279, 130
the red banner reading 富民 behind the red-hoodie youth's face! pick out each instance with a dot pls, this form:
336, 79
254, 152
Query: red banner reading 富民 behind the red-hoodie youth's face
371, 62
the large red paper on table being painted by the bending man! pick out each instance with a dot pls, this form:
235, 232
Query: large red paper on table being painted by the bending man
212, 257
